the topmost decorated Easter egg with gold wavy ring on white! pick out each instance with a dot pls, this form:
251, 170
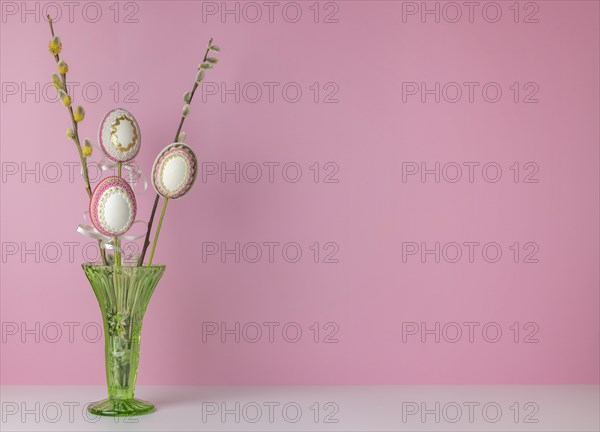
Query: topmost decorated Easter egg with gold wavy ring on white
119, 136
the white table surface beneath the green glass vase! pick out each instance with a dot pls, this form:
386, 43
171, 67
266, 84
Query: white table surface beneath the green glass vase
311, 408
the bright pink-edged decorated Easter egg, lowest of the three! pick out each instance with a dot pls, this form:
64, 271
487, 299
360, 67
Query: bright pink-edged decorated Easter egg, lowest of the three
112, 206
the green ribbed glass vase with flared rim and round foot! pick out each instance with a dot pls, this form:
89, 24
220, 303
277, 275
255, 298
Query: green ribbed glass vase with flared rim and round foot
123, 293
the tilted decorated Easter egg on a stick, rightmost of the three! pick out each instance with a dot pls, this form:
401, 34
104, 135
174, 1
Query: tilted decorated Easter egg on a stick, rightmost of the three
174, 170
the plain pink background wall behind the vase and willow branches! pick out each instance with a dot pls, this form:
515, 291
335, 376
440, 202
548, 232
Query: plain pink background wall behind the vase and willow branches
370, 215
